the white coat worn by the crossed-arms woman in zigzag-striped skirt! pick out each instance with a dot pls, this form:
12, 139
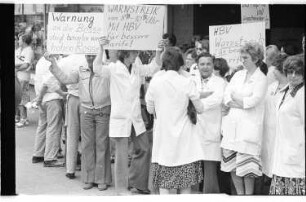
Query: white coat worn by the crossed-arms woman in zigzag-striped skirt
242, 129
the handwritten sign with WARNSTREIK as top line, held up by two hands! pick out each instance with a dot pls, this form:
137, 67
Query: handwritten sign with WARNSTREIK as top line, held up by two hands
134, 27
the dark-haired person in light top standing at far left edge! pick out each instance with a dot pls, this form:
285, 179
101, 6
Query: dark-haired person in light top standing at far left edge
24, 57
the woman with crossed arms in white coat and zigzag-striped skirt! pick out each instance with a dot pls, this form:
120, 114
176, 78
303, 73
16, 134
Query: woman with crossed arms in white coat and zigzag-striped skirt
242, 130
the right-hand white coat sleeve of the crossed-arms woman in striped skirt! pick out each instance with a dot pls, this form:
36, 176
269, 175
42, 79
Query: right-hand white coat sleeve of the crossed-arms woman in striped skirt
259, 93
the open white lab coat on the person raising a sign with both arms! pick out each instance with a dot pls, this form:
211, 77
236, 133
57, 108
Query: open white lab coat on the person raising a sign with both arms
125, 94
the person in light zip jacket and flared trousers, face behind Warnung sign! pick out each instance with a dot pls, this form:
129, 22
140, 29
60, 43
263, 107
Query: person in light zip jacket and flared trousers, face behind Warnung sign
95, 110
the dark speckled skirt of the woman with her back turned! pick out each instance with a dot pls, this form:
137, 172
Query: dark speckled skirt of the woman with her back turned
177, 177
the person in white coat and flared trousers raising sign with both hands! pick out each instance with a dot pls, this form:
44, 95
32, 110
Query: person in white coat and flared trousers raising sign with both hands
125, 118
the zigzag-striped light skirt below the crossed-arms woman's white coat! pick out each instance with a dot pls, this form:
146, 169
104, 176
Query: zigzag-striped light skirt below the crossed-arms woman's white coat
245, 165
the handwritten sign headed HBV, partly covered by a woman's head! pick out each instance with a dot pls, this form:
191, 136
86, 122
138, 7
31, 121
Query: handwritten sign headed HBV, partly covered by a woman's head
226, 40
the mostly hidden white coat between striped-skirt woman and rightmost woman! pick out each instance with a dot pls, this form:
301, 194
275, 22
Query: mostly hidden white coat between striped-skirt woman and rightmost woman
269, 128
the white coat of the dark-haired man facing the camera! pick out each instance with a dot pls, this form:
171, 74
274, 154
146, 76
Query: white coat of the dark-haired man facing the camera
210, 121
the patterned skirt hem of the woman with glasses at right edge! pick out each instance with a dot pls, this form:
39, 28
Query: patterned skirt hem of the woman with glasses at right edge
287, 186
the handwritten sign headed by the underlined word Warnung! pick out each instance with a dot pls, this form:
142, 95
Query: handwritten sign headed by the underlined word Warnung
74, 33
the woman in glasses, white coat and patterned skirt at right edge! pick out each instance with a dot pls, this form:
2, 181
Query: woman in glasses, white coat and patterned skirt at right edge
289, 151
